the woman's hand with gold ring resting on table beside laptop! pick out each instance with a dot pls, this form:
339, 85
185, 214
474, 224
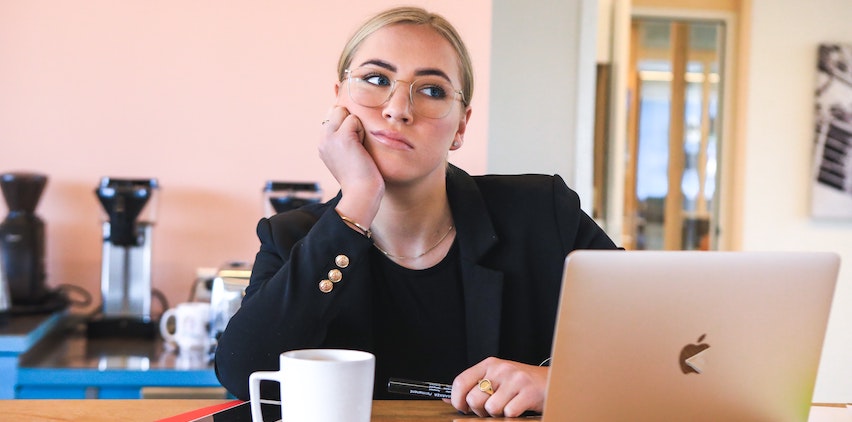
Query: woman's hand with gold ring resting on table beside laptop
516, 388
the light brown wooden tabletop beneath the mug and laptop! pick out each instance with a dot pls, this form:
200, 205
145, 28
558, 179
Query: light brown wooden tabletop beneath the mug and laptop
155, 409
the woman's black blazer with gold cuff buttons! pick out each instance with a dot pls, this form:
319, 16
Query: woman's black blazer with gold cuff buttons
513, 234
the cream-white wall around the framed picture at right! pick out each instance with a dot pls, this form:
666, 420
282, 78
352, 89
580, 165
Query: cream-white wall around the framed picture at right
778, 139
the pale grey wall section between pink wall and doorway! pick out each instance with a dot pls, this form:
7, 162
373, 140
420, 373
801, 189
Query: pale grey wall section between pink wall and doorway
542, 90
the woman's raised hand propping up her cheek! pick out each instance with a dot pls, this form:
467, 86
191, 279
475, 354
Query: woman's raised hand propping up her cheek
342, 150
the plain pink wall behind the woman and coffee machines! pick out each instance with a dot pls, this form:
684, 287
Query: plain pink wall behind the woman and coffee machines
211, 97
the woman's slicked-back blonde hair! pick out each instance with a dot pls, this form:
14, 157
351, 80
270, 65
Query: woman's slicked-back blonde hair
411, 16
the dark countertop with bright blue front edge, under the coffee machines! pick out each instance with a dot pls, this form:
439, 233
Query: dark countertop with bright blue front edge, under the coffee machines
67, 364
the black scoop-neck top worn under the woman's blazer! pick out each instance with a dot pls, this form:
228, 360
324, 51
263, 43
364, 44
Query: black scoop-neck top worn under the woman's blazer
418, 322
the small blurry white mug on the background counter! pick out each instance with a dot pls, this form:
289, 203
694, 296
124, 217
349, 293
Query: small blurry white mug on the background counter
190, 326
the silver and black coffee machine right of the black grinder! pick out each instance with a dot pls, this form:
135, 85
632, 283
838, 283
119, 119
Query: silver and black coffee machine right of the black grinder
129, 207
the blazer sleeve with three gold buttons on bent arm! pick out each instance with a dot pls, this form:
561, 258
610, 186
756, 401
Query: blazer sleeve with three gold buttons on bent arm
284, 309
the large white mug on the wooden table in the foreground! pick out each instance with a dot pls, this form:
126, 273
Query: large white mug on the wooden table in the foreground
320, 385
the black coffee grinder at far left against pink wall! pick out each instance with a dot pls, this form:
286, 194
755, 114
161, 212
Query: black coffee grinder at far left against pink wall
22, 243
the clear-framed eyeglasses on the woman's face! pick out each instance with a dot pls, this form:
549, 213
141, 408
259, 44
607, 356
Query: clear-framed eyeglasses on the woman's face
430, 96
